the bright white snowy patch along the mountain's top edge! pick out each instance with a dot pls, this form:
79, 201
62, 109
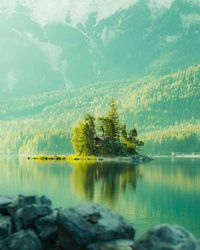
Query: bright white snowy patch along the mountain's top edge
51, 11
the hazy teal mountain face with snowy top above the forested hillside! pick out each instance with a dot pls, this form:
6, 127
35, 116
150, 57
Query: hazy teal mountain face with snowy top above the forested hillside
46, 47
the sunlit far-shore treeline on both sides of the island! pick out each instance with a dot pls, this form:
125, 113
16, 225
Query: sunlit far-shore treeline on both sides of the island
180, 138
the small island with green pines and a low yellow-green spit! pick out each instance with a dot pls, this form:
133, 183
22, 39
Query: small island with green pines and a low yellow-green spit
103, 138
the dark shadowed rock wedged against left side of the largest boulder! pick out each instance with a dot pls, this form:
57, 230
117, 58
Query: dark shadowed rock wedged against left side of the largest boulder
46, 228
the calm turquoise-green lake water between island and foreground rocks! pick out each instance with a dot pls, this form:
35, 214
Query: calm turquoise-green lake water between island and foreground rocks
164, 190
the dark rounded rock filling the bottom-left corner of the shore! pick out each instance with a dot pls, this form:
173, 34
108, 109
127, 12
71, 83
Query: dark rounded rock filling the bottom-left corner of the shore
22, 240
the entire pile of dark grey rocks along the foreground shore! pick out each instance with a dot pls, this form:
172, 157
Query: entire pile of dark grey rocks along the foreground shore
30, 223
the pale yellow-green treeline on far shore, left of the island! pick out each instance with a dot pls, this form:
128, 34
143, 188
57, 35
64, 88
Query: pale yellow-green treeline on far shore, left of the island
52, 142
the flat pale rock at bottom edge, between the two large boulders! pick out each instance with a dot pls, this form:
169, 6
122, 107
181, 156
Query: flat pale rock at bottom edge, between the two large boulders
112, 245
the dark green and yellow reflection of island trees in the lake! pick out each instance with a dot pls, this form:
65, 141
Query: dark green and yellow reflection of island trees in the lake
103, 181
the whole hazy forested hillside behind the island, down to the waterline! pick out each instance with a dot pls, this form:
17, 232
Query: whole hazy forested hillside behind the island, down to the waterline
165, 111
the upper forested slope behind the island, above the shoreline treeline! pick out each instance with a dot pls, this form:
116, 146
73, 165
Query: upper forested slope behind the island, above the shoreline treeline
149, 103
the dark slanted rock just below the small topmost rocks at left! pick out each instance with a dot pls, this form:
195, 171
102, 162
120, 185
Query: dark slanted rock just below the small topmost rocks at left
26, 216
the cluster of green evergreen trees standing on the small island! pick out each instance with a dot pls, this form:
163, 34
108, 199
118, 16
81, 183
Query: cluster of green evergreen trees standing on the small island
105, 136
